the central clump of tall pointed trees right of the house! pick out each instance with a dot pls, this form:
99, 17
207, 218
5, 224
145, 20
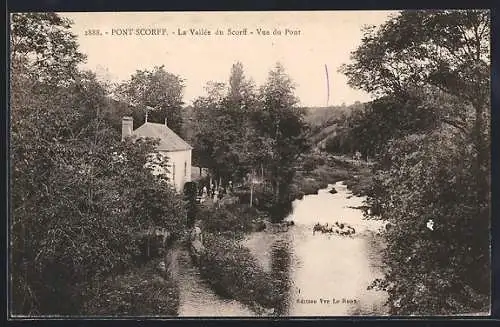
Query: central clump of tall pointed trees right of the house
241, 132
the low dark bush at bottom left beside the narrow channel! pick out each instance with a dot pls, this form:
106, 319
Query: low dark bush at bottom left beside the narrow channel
141, 291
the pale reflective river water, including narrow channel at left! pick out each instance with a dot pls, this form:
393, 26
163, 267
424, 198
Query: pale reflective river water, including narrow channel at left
321, 274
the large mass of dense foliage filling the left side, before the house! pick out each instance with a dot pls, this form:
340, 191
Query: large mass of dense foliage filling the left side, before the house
79, 195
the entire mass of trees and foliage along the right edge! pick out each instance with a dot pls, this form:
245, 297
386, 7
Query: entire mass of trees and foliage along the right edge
432, 180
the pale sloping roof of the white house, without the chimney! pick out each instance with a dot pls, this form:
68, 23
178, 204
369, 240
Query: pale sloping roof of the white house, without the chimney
169, 141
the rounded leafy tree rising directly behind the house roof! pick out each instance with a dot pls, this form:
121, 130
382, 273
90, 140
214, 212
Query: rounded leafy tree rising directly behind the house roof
159, 90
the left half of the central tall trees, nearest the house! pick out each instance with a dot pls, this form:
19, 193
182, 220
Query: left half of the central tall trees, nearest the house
222, 126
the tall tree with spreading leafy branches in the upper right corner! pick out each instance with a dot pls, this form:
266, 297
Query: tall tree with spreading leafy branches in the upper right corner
421, 50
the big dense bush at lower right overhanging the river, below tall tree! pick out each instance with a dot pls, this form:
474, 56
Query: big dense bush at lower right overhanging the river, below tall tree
445, 270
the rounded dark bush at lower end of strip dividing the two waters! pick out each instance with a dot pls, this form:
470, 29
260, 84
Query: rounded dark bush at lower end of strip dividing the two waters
234, 273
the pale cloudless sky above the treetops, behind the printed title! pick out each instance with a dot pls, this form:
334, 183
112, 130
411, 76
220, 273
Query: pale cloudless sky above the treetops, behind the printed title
308, 41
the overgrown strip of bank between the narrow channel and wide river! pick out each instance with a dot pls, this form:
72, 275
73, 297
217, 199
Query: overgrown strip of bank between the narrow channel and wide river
227, 267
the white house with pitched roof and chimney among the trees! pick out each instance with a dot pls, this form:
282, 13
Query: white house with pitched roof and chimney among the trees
171, 146
